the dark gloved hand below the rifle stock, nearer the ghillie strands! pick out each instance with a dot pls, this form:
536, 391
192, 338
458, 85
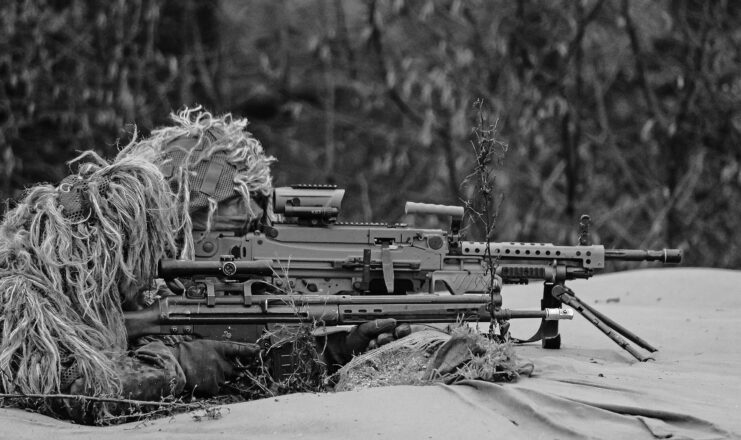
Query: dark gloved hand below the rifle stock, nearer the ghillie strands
208, 364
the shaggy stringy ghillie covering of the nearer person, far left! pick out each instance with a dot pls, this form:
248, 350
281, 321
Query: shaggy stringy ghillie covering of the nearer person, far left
63, 252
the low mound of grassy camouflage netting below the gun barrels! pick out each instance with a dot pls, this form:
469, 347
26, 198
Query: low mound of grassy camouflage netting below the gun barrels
432, 356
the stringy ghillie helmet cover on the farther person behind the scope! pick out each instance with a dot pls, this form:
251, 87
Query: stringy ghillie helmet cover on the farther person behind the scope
209, 160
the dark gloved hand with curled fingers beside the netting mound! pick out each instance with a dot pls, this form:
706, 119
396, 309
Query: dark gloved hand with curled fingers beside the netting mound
338, 345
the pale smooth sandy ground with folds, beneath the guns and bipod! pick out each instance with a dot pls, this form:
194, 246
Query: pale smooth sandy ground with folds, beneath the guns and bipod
588, 389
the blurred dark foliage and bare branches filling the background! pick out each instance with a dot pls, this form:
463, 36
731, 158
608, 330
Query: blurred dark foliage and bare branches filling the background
629, 110
